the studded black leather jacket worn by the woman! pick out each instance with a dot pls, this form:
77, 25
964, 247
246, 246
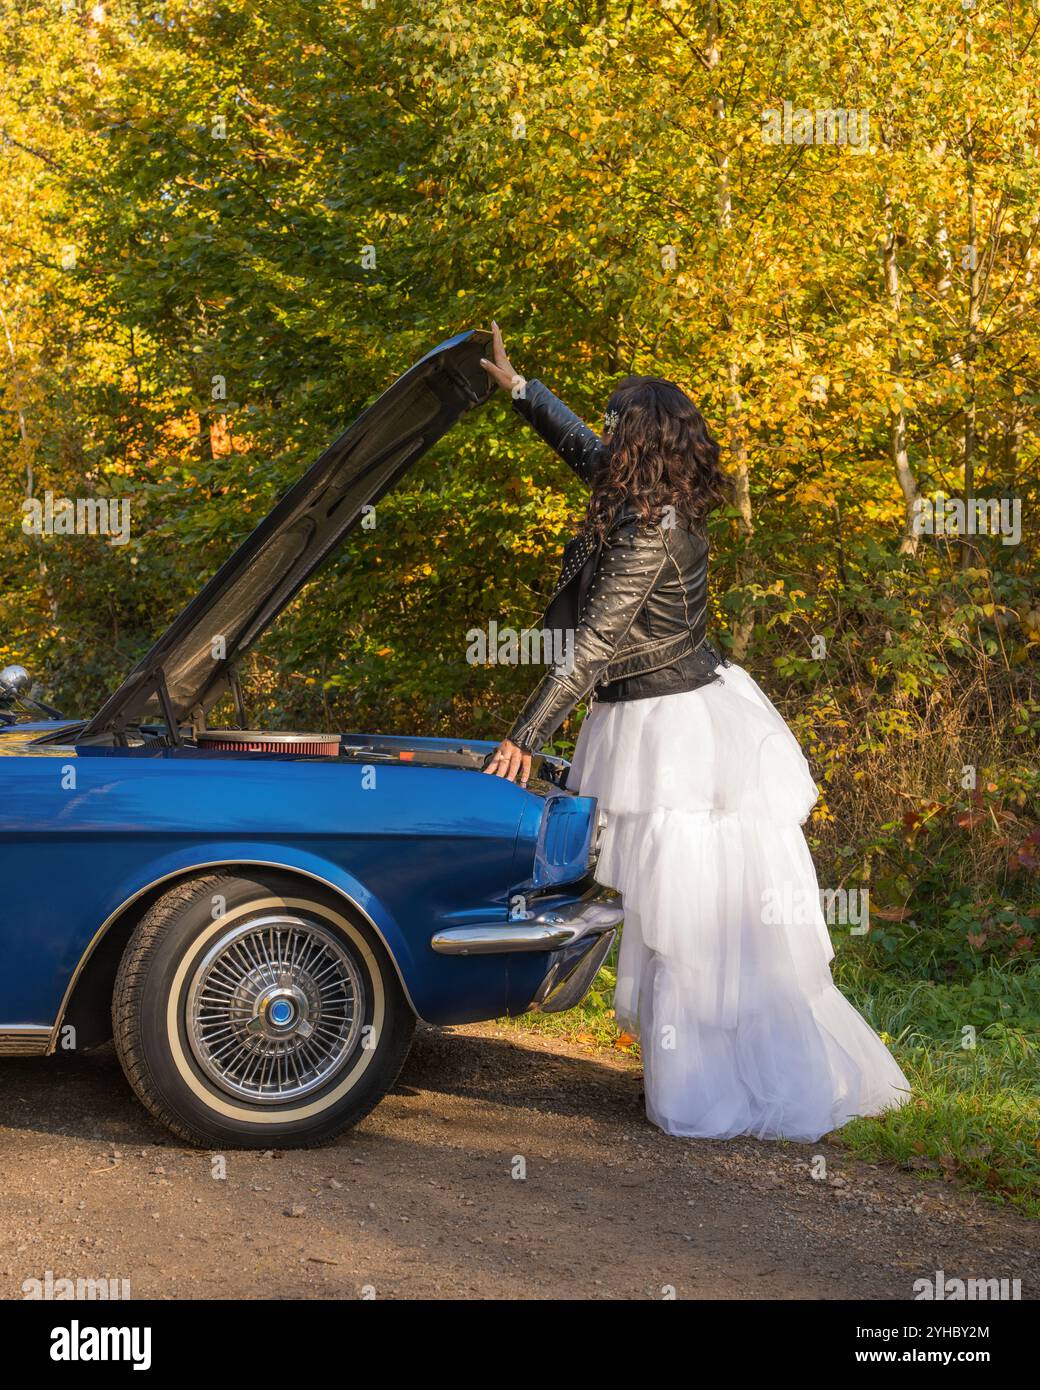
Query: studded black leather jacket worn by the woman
631, 608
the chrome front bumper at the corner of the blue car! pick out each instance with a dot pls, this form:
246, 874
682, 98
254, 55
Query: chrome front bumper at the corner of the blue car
579, 936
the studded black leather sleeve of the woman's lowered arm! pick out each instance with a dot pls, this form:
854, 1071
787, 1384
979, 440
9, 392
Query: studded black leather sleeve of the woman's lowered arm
629, 568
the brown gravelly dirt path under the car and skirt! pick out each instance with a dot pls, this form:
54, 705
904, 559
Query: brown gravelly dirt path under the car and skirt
421, 1202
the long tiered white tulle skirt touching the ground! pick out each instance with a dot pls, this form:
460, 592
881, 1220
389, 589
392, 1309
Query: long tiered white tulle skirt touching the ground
724, 971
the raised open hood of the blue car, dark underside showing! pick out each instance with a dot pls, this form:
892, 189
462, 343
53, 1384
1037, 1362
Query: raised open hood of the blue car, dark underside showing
181, 679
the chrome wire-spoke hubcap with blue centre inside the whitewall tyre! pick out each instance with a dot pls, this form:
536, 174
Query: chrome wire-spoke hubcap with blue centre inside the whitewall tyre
275, 1010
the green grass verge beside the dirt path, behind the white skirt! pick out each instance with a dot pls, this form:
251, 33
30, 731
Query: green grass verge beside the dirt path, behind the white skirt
975, 1110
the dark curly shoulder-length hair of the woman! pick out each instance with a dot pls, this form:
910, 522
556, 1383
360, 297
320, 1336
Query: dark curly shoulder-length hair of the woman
658, 454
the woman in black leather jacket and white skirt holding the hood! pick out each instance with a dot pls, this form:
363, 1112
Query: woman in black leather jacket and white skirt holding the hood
724, 970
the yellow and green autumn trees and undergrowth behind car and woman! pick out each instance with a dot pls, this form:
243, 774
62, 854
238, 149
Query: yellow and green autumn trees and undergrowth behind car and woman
225, 229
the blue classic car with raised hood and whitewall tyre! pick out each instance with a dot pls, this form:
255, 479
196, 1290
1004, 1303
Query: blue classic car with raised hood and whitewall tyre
258, 918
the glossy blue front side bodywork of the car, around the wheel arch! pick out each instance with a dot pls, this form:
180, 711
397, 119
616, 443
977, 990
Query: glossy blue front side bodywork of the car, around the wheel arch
418, 850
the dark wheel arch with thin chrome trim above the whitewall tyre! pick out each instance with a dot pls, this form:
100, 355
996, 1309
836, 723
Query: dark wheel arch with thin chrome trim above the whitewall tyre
88, 1008
